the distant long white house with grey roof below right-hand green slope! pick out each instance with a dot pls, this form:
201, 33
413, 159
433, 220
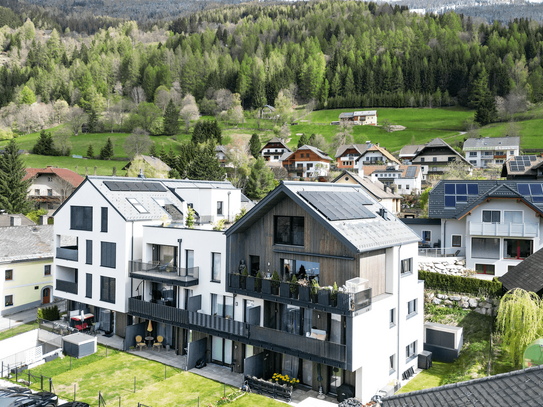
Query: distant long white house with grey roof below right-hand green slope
482, 151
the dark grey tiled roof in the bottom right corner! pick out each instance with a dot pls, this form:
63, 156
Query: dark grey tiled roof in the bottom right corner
518, 388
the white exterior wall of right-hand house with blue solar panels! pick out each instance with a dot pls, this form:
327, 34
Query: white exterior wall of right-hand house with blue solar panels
501, 265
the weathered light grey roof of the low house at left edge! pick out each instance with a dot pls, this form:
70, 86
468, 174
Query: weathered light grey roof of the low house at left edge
26, 243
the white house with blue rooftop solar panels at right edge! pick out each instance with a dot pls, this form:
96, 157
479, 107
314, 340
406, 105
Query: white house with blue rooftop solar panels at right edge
494, 224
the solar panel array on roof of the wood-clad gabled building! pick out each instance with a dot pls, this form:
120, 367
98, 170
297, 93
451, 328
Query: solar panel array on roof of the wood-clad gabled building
339, 205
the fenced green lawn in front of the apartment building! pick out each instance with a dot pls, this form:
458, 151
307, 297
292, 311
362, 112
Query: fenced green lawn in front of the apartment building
114, 375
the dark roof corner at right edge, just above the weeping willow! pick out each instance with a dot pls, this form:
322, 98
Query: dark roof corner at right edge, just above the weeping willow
528, 275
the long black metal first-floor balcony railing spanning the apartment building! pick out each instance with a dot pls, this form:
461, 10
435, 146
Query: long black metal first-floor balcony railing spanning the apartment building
334, 354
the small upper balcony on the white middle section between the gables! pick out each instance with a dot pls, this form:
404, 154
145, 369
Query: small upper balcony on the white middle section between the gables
164, 273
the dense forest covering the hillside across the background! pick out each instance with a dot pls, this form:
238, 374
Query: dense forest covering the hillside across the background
337, 53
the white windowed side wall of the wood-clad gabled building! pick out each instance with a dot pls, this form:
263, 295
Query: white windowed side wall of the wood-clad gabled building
375, 339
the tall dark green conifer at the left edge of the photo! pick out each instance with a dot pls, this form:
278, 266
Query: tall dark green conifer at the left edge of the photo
13, 190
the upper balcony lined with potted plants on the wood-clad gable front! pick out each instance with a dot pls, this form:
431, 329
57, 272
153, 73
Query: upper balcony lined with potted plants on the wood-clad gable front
343, 303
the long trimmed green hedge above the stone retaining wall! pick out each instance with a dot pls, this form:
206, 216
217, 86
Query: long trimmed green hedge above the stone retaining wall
464, 285
